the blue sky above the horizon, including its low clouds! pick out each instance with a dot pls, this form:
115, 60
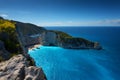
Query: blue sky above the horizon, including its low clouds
62, 12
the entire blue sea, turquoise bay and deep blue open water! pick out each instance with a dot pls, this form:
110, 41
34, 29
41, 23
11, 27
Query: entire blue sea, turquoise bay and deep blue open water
68, 64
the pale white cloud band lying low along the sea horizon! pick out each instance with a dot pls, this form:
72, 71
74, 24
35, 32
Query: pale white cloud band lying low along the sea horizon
107, 22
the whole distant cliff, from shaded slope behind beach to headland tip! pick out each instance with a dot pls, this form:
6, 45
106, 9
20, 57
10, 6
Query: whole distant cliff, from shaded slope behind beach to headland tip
31, 35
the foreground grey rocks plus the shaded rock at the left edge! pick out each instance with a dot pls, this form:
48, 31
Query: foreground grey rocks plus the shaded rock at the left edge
19, 67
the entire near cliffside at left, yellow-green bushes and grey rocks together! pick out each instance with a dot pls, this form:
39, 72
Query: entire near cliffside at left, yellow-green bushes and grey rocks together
15, 64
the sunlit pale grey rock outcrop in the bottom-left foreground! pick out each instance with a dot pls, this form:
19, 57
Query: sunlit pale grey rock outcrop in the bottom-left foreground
18, 68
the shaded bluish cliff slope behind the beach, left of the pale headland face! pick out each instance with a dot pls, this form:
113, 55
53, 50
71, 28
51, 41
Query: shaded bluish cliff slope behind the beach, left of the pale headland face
25, 31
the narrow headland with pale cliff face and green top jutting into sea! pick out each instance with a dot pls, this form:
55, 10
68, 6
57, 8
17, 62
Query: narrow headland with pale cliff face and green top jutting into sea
61, 39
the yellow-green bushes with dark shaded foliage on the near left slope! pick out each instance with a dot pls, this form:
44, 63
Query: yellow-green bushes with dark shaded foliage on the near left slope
9, 36
